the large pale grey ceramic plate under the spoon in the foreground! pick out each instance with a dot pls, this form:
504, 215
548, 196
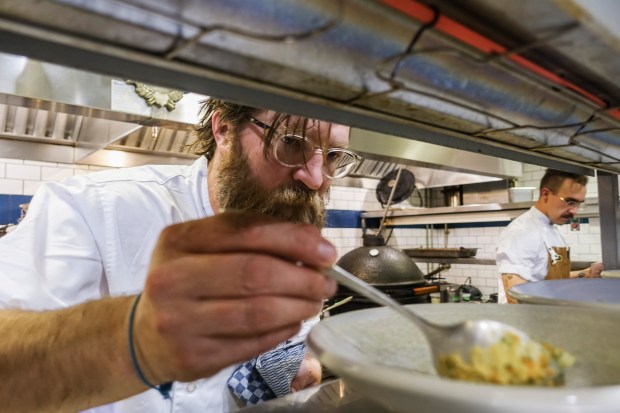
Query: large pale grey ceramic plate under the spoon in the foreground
388, 358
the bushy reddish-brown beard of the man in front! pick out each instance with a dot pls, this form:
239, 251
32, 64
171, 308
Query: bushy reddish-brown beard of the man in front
236, 187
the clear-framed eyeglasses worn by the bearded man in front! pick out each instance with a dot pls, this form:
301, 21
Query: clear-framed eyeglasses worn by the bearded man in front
293, 151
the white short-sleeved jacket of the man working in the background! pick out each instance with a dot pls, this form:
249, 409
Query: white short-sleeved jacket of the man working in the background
522, 248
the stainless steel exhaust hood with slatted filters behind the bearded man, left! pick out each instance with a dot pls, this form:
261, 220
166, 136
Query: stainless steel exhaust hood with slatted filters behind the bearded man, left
58, 114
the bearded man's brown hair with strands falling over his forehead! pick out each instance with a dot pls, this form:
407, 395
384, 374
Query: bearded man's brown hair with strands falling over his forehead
235, 115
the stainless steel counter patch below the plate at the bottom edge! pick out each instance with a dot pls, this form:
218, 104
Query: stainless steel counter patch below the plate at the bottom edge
333, 396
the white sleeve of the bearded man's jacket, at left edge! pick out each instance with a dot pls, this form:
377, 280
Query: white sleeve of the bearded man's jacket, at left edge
51, 259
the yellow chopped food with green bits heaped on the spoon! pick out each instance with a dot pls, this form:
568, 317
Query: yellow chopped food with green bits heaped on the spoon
510, 361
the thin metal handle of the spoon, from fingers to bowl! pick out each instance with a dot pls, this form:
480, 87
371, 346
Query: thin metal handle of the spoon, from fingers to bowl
354, 283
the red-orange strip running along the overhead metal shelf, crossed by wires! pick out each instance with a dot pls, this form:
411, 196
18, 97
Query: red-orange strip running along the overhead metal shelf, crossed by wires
462, 33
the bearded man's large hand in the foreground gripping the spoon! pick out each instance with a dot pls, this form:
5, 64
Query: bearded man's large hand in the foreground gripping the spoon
222, 289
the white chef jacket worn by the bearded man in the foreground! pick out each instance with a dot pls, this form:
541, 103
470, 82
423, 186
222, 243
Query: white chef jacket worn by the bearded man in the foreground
92, 236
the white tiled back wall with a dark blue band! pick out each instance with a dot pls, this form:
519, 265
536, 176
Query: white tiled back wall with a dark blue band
20, 178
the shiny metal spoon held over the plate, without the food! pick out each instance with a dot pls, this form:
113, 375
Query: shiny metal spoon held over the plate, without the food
460, 338
